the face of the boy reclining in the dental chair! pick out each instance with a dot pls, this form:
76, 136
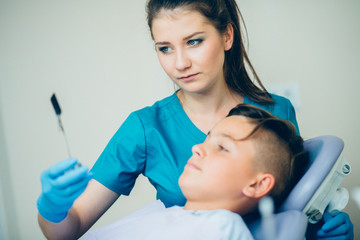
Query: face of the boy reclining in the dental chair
221, 166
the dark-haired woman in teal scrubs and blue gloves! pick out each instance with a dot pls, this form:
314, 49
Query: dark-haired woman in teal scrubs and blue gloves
200, 47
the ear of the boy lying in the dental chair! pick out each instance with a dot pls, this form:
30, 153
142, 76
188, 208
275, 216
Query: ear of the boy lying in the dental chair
260, 186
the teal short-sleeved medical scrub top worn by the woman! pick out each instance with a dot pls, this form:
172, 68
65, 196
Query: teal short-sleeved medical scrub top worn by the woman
156, 141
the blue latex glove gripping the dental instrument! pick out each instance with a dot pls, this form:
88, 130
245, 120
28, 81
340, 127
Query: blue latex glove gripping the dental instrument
61, 185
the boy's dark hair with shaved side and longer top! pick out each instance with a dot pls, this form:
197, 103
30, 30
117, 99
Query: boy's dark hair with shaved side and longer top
279, 150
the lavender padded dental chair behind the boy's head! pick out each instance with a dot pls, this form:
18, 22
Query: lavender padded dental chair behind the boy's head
317, 191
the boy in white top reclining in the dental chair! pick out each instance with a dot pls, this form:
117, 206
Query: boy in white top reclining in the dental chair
246, 156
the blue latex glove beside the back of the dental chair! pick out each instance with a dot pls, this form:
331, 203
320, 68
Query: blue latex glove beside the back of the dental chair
337, 226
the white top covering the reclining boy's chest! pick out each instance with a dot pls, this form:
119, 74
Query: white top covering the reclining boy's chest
155, 222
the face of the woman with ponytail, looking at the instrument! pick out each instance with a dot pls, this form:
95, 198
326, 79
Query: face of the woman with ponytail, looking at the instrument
190, 49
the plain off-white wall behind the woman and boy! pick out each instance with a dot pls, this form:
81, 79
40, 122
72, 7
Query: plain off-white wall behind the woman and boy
98, 57
